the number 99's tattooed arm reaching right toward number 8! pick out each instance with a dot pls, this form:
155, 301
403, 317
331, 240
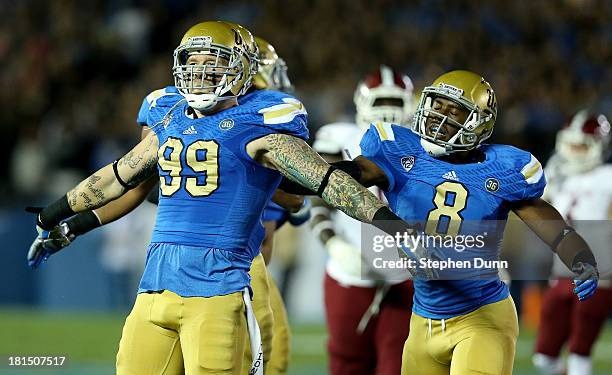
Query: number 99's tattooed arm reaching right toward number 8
298, 162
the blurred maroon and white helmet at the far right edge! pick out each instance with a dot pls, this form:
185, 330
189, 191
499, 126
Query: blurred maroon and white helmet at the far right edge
583, 143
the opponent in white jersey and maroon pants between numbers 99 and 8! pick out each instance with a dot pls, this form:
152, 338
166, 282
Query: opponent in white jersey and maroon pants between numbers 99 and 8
366, 316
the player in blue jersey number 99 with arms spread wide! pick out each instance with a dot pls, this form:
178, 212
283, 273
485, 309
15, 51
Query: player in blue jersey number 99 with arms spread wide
218, 163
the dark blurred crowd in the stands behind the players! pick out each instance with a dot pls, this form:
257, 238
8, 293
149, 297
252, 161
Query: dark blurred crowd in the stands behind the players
74, 73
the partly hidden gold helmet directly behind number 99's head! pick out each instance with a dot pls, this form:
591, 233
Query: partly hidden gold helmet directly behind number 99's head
272, 72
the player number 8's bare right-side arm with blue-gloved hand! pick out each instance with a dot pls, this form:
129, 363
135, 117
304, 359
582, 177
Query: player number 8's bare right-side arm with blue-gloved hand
545, 221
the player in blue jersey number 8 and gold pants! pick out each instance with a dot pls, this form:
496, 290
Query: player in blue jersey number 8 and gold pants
441, 173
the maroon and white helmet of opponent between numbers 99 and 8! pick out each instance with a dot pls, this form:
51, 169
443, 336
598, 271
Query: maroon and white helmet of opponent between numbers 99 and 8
384, 95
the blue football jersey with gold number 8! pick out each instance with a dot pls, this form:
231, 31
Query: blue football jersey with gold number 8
454, 199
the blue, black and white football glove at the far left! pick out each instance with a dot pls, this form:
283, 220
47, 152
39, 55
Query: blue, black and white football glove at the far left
48, 243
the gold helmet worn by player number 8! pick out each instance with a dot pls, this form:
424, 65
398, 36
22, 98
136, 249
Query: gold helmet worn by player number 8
473, 94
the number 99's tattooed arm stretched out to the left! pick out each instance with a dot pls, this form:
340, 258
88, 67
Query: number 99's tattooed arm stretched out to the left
104, 186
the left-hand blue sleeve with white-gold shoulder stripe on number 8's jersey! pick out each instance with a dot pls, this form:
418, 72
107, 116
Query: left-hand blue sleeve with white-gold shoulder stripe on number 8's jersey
373, 148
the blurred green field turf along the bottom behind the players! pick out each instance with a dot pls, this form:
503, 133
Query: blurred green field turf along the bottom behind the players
90, 341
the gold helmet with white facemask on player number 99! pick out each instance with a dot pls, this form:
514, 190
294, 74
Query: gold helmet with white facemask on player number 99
212, 63
